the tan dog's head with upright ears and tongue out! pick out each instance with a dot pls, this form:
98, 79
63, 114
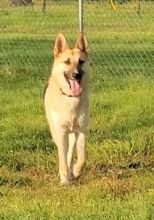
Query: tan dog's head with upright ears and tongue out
70, 68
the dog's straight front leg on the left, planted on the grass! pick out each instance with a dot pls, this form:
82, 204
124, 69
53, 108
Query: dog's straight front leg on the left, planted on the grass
62, 145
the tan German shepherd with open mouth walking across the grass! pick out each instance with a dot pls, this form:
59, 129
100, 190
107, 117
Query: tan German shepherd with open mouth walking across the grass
66, 104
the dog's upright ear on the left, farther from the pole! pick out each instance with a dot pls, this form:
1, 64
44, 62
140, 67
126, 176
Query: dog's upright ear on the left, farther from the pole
60, 44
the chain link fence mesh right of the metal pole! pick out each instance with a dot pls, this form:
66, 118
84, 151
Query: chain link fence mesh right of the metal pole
121, 33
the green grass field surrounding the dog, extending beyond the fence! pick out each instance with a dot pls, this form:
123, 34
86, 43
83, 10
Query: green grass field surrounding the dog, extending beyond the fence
118, 181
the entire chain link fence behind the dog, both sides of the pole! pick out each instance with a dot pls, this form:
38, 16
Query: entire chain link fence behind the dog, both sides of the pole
120, 33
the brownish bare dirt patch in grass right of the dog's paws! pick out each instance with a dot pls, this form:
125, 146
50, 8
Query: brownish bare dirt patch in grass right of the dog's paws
123, 178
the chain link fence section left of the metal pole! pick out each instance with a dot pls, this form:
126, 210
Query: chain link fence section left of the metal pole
27, 34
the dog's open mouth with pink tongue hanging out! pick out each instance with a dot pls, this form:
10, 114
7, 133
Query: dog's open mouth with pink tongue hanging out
74, 86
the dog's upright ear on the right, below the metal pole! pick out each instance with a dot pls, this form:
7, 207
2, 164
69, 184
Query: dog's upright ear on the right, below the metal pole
81, 42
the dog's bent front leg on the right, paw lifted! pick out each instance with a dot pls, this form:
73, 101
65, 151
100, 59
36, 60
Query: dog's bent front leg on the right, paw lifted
81, 155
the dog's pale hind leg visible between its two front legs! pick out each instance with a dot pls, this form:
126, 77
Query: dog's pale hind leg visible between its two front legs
72, 142
